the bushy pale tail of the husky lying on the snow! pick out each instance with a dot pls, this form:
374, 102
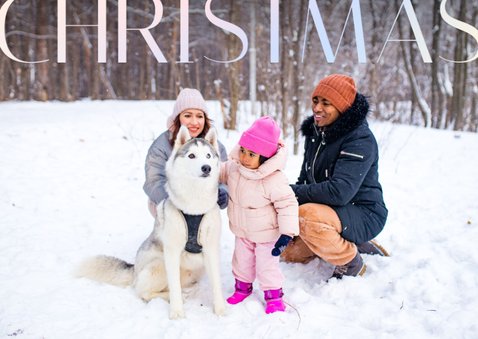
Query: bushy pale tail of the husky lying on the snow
107, 269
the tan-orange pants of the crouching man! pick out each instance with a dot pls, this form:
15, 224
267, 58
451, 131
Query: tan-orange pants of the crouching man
320, 229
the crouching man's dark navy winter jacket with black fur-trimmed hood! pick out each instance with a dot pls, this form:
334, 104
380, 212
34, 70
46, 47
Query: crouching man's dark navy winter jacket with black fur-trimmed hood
340, 169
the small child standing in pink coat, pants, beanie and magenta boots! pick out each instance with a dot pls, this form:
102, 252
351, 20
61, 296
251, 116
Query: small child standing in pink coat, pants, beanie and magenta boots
262, 211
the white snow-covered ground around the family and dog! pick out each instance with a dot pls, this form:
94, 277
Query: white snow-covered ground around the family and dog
71, 177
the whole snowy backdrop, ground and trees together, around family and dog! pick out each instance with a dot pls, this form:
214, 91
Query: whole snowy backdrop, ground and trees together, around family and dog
75, 134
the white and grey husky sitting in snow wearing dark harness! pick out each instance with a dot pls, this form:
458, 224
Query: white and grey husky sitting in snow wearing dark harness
186, 233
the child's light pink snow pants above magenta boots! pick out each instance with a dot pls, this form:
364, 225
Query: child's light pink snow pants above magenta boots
254, 260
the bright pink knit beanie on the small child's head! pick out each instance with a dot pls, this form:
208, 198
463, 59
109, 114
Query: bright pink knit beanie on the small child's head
262, 137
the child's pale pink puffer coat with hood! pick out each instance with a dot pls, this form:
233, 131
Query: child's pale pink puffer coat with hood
262, 206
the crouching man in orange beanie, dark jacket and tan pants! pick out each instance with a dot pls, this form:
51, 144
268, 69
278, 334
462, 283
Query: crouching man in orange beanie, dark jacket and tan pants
341, 203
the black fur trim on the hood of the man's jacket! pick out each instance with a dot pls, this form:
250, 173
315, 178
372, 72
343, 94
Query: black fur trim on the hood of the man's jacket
347, 121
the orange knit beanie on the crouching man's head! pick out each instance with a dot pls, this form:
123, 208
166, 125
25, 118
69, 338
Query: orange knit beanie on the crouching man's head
338, 89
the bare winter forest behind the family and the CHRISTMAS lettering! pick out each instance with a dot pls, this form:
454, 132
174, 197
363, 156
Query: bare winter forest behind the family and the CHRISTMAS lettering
439, 94
